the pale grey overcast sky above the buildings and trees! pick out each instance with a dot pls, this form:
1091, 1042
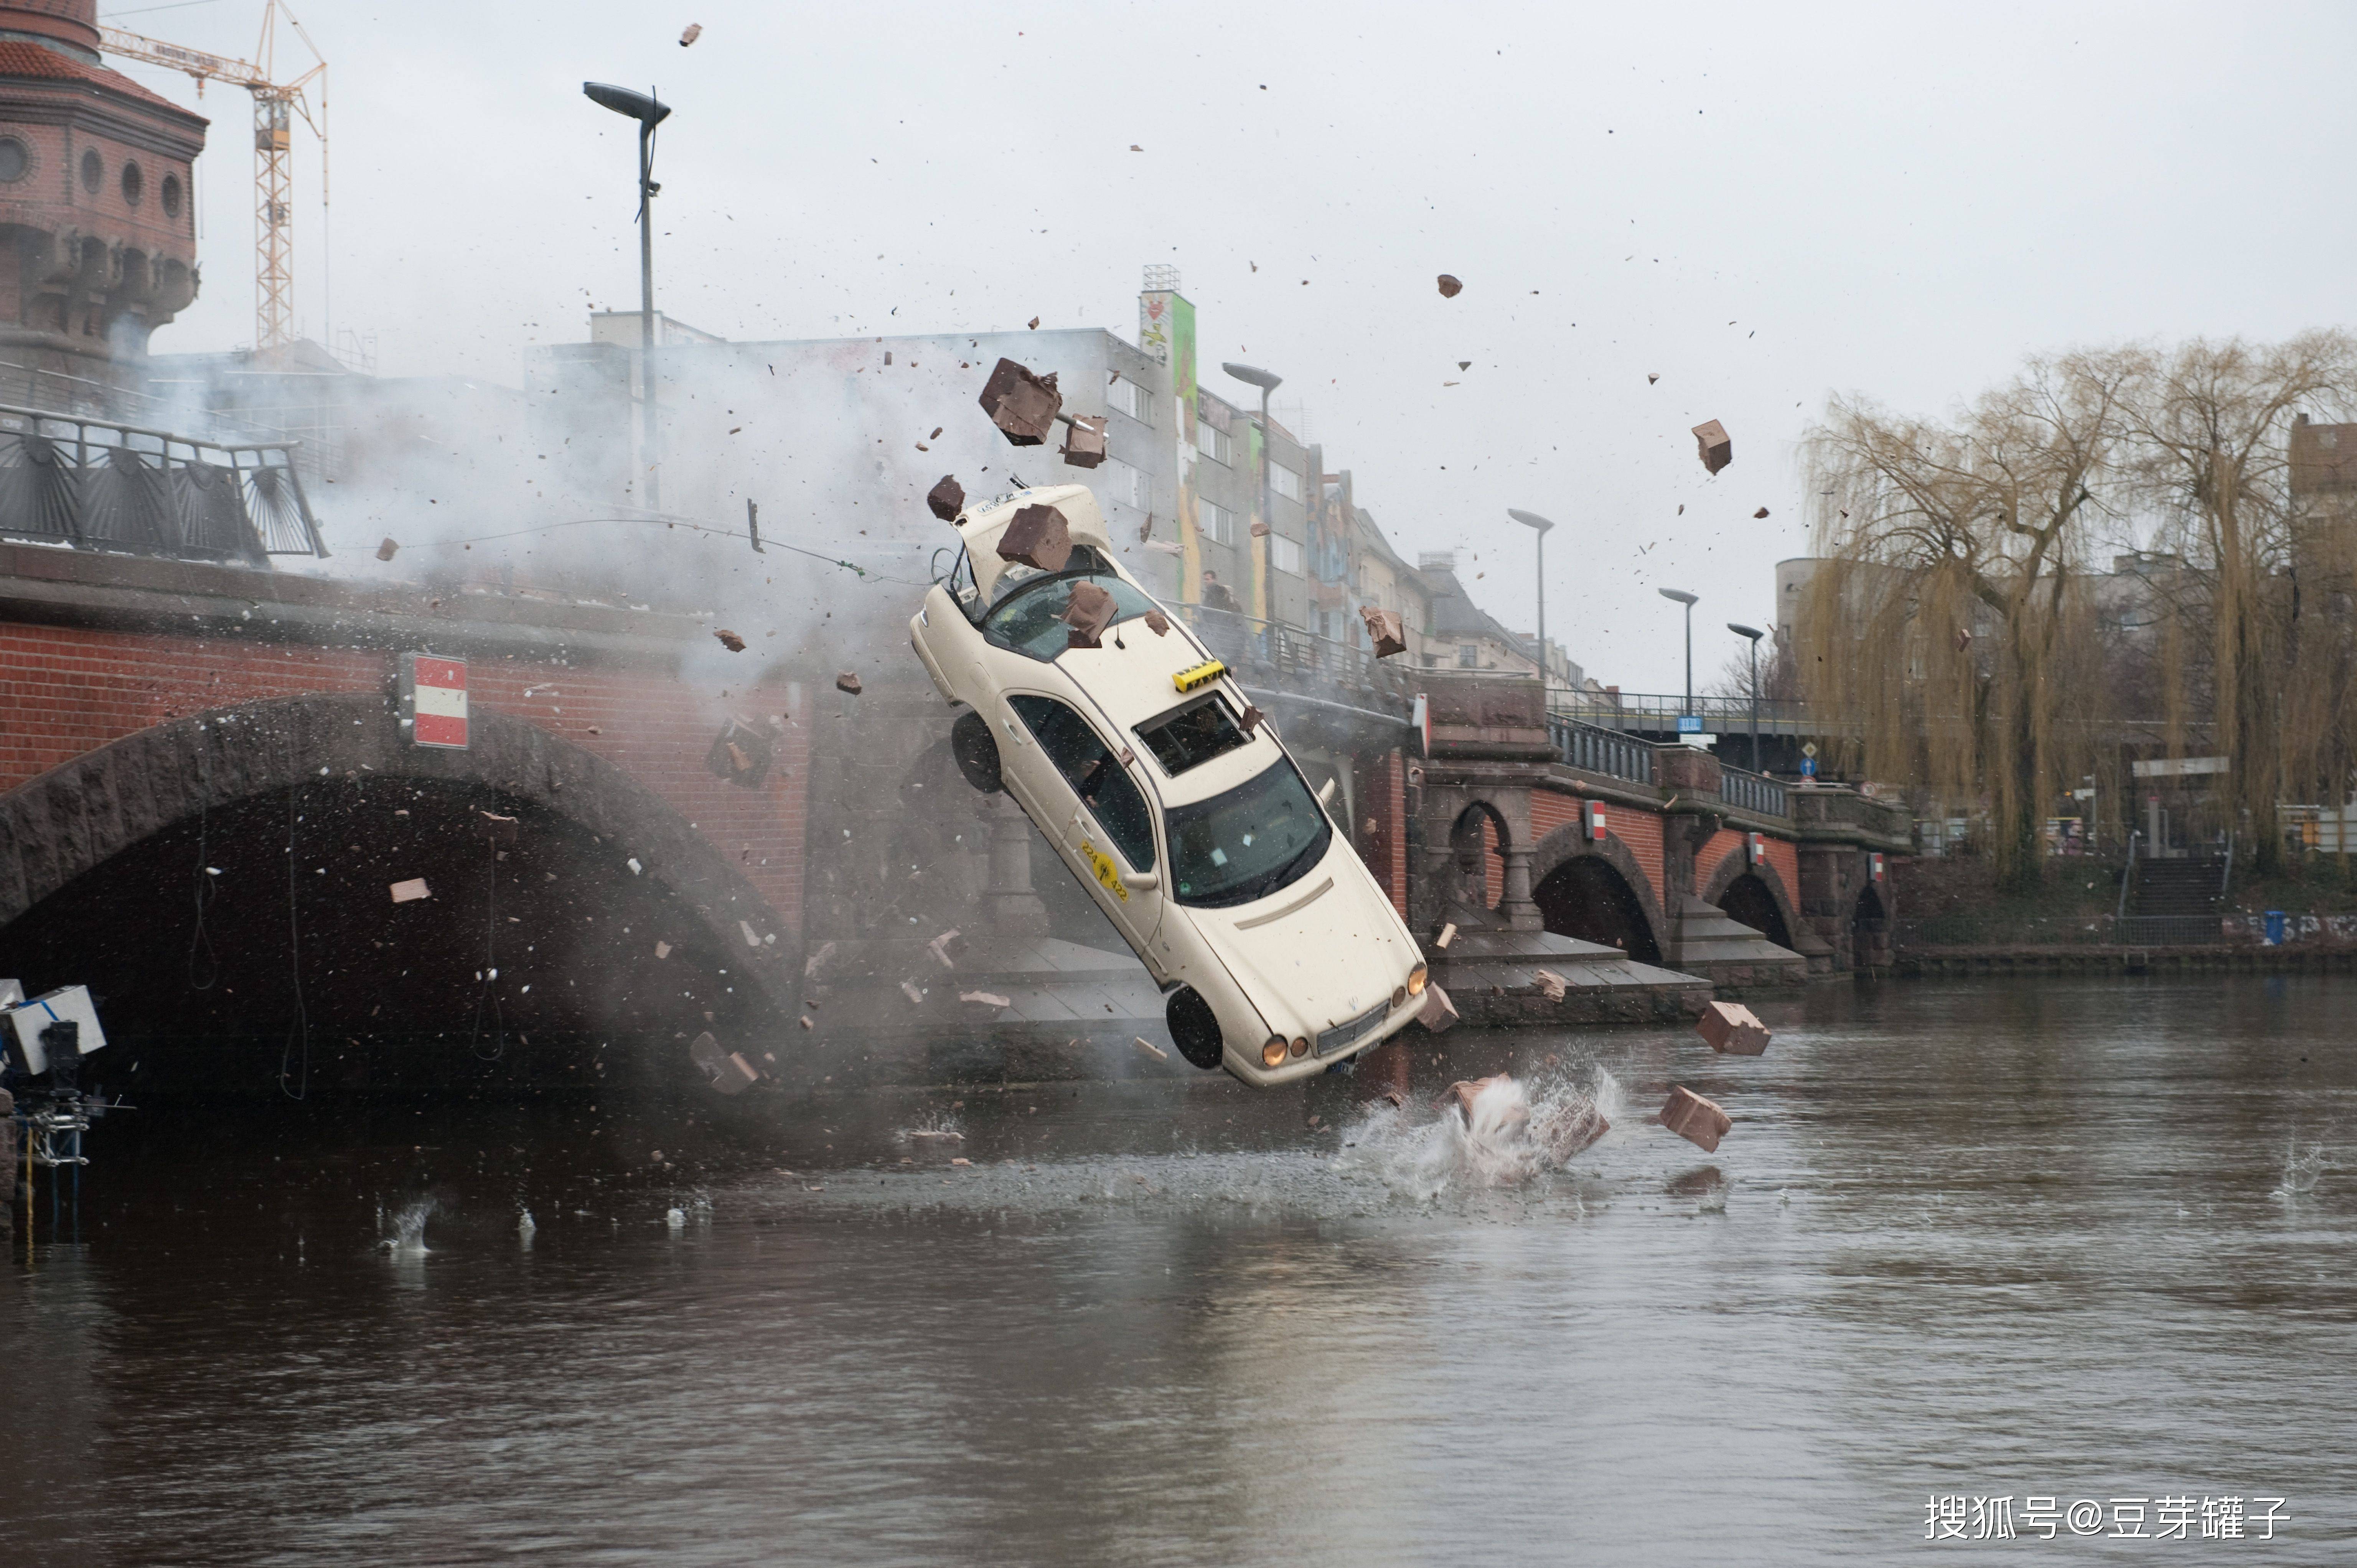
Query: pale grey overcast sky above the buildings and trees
1760, 204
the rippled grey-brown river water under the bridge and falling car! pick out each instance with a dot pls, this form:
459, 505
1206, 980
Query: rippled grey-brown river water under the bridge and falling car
2078, 1241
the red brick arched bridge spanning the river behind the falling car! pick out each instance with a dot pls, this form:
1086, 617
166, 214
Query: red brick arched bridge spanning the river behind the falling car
206, 793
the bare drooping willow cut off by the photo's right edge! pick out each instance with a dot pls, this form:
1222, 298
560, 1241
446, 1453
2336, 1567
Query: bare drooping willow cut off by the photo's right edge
2212, 433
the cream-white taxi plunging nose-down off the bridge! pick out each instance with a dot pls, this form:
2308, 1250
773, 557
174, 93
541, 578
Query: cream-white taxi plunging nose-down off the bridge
1314, 954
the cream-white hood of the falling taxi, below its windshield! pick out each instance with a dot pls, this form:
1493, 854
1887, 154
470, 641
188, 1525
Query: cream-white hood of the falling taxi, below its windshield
1314, 958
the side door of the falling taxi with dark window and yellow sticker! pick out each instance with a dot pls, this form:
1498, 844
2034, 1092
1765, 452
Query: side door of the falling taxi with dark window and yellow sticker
1100, 817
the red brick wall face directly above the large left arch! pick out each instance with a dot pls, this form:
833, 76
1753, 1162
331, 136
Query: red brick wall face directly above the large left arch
65, 692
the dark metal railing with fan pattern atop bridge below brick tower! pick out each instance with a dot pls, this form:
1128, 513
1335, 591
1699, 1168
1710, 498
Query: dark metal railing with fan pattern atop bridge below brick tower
100, 485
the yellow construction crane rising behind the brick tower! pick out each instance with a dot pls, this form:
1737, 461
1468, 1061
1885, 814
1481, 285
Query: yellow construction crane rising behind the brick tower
275, 143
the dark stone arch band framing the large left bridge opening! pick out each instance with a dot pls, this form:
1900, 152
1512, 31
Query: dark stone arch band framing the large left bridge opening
81, 815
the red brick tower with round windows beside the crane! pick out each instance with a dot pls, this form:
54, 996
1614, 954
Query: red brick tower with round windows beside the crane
98, 216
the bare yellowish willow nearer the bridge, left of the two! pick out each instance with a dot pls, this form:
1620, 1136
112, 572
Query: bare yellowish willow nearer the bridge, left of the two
1950, 617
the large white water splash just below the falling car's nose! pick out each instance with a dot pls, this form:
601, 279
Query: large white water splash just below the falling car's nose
1484, 1135
